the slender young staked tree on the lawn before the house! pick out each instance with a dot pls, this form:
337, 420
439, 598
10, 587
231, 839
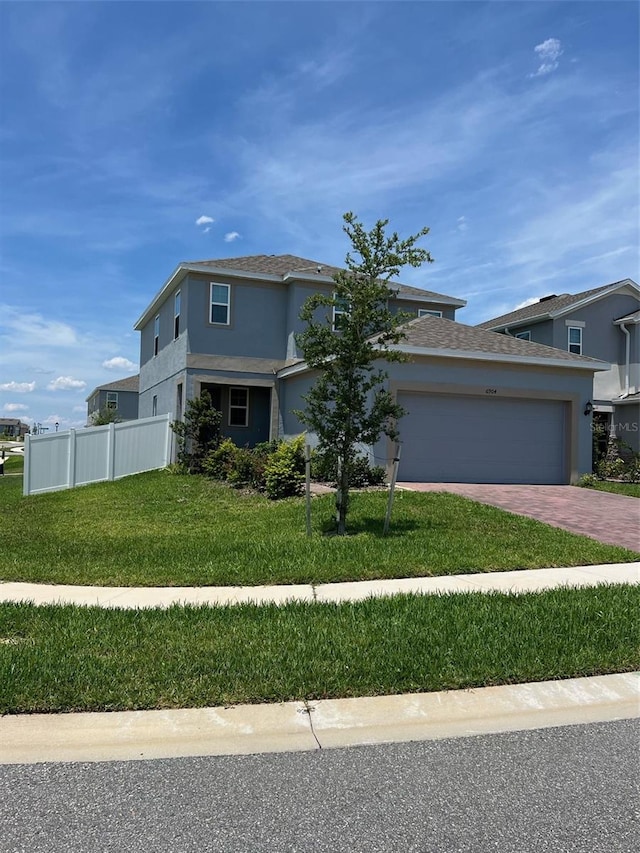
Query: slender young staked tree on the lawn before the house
348, 404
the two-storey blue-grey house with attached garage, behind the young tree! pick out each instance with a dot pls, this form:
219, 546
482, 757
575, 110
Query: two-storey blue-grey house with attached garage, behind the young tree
481, 407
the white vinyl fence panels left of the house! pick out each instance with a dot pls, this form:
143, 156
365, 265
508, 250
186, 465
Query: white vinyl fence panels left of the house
62, 460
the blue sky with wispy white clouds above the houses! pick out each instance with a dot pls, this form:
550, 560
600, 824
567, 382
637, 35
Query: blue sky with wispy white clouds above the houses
134, 136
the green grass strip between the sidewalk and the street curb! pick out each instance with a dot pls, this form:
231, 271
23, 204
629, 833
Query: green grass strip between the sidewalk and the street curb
88, 659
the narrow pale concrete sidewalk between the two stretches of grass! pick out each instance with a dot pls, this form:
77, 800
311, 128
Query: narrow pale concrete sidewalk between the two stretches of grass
525, 580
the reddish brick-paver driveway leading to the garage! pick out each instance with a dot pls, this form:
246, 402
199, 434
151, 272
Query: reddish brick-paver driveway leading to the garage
614, 519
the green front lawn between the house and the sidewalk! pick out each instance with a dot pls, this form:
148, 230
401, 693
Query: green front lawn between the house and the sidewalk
160, 529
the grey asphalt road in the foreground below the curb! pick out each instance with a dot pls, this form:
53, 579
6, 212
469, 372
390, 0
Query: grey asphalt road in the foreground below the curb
565, 790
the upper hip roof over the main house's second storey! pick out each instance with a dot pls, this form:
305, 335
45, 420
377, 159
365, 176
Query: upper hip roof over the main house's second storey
280, 268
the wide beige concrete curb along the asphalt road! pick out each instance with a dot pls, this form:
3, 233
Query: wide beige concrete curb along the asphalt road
323, 724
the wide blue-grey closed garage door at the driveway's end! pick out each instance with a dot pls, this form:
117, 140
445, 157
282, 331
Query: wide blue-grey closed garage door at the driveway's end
448, 439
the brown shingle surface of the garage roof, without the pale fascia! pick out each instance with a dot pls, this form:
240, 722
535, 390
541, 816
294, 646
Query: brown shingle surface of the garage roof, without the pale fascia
438, 333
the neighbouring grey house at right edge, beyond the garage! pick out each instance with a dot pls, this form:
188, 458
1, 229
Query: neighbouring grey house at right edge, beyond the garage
602, 323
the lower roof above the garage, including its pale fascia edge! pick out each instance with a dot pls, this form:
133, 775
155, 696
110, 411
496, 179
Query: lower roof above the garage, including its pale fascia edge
441, 338
